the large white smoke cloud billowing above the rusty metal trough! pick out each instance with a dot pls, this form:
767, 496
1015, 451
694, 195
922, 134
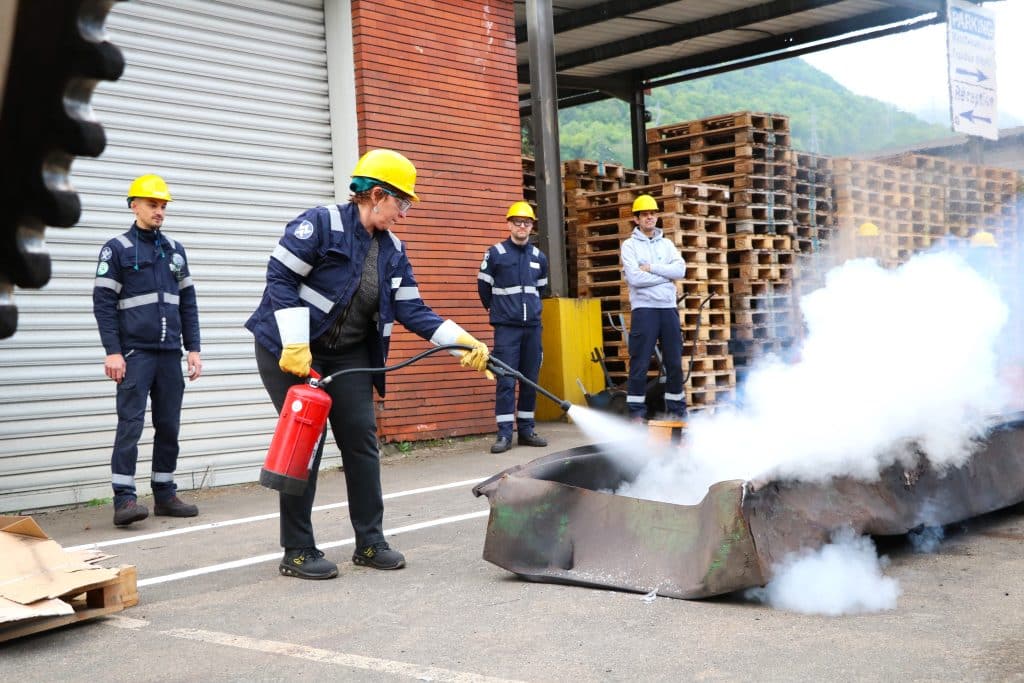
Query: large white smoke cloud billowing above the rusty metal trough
890, 358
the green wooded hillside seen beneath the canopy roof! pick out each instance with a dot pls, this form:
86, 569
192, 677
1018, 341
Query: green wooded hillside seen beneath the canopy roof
825, 117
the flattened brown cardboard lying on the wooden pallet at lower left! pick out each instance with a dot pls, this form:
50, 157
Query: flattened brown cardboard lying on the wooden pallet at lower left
35, 572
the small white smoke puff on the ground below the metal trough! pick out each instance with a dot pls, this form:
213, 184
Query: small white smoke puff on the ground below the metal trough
841, 578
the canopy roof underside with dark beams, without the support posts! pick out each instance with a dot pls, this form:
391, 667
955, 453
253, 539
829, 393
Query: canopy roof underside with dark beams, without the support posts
613, 48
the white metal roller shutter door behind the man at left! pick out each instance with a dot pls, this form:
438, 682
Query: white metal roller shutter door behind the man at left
229, 102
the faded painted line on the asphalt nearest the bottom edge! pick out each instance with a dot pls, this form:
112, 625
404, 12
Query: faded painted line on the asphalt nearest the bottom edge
320, 656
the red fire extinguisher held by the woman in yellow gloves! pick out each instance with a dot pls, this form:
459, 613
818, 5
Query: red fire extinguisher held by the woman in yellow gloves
301, 429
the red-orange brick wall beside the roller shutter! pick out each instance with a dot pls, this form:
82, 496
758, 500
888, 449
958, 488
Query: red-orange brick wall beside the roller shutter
437, 81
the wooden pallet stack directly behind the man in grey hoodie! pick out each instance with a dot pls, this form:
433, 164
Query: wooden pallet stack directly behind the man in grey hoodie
695, 219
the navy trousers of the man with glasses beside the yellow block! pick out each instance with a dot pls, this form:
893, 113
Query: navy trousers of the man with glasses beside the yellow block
521, 349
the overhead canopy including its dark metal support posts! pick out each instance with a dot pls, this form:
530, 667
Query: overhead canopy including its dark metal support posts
577, 52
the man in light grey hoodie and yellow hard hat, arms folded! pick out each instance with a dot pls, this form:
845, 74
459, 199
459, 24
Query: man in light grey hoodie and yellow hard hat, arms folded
651, 266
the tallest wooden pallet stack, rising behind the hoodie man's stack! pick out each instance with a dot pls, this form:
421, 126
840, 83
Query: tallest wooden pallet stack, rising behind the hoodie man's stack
750, 154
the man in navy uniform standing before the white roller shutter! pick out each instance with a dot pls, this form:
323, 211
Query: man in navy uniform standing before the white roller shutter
145, 305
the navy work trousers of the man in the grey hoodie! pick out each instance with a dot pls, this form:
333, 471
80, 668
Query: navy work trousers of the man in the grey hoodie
649, 326
